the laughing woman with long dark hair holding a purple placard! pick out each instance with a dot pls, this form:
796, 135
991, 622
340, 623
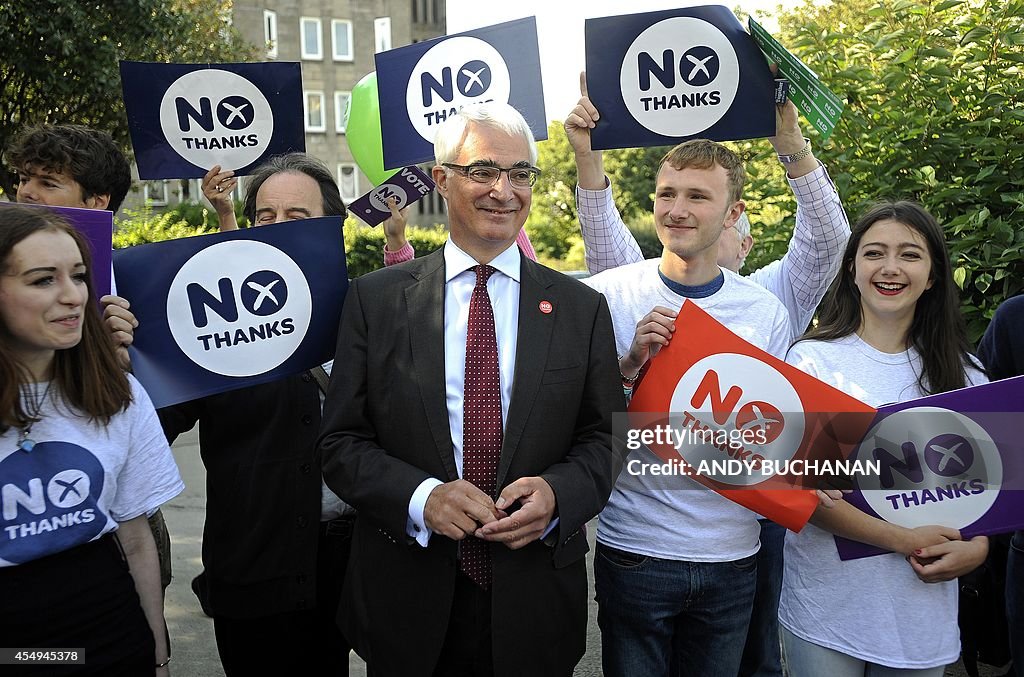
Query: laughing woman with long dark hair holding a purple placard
890, 330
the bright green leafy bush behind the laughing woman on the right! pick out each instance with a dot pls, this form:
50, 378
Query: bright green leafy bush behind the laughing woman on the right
934, 114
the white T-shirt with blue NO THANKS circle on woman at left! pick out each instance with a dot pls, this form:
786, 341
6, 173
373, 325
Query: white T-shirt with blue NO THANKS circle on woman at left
82, 478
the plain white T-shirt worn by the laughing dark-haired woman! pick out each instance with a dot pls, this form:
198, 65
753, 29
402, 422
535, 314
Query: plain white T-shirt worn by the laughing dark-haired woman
874, 609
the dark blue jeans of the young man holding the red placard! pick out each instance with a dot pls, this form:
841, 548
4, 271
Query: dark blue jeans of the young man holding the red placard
653, 612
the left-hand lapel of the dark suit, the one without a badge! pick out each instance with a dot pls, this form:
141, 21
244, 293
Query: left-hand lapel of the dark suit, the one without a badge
425, 309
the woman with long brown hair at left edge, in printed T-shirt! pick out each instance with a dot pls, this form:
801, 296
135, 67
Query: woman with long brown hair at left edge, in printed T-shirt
82, 461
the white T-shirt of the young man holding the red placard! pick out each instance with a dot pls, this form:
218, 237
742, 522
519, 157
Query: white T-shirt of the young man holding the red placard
676, 518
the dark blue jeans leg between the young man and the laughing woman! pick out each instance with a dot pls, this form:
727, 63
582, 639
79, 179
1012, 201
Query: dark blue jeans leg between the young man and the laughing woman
762, 655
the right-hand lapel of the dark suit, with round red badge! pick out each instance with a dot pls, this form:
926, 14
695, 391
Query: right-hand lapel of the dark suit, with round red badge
531, 356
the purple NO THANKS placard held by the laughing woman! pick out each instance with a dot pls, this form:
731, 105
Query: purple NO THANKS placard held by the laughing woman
955, 459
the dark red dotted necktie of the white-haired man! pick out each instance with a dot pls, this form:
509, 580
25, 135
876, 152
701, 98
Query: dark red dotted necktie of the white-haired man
482, 418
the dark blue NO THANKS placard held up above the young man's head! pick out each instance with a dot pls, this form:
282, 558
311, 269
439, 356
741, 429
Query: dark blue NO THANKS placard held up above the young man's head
662, 77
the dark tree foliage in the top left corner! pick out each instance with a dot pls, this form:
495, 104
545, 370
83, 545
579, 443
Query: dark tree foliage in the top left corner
61, 57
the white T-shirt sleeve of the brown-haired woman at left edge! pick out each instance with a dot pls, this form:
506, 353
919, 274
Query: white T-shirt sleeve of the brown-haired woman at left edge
150, 477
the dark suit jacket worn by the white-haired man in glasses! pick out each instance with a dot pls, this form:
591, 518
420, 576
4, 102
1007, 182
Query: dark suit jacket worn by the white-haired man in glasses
386, 431
